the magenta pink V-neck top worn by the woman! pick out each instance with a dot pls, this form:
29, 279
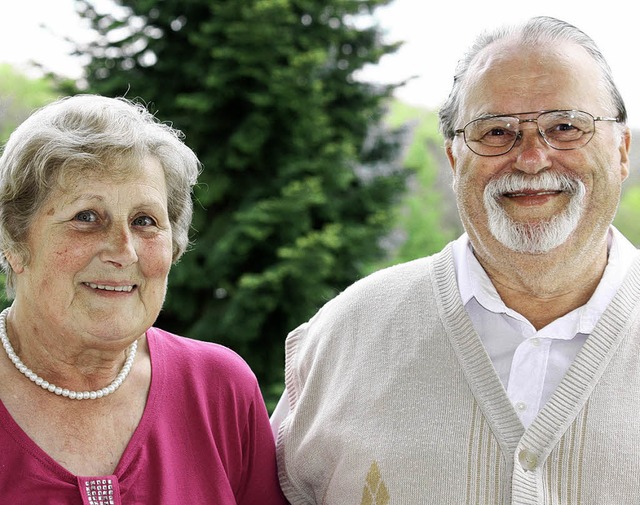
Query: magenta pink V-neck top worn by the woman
204, 438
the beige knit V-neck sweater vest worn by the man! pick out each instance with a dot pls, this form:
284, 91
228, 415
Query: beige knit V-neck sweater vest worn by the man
394, 400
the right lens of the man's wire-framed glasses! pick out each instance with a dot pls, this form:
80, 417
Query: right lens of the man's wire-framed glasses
567, 129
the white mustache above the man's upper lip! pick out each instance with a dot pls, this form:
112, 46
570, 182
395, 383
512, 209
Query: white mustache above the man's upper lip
546, 181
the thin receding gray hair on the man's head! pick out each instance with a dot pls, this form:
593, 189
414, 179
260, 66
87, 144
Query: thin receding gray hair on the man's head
542, 29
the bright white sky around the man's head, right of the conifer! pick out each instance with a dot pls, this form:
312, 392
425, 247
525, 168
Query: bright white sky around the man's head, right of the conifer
434, 43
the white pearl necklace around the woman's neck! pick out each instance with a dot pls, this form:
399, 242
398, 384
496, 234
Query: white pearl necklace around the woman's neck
73, 395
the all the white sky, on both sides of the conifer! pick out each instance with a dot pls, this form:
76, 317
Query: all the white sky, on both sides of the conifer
433, 42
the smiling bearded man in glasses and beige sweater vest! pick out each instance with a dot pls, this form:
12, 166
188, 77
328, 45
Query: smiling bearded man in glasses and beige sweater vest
503, 369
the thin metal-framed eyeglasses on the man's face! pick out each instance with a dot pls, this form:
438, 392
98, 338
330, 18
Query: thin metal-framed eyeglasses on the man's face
564, 130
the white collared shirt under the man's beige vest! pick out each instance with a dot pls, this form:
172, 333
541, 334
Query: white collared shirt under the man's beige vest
532, 363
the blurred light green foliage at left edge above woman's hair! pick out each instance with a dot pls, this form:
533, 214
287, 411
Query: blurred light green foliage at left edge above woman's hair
19, 96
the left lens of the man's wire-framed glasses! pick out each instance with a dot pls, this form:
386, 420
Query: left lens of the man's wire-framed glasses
491, 136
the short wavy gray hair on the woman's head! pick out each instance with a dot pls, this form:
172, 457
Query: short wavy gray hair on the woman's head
80, 133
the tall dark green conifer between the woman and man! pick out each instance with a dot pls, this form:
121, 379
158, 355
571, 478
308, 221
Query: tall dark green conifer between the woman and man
299, 174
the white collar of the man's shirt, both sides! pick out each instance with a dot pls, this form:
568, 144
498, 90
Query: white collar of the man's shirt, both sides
473, 282
